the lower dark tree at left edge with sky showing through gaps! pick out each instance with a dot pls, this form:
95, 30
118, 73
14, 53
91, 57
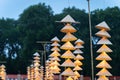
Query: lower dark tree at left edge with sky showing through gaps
9, 43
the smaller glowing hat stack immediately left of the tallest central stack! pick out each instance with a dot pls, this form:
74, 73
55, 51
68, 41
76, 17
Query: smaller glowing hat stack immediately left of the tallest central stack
55, 55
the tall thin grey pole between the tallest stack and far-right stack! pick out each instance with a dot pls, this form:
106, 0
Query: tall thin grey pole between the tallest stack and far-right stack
91, 47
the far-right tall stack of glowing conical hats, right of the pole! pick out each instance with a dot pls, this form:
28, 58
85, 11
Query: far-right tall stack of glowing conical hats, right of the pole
103, 50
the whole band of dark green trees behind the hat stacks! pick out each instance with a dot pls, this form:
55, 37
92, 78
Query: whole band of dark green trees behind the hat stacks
18, 38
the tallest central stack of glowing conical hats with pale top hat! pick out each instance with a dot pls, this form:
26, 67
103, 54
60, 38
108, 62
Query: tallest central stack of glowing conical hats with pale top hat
68, 46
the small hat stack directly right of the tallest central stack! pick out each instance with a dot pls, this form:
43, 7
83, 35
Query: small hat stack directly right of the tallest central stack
78, 58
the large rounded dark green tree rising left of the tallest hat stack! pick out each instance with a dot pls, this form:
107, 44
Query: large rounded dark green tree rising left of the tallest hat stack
35, 24
